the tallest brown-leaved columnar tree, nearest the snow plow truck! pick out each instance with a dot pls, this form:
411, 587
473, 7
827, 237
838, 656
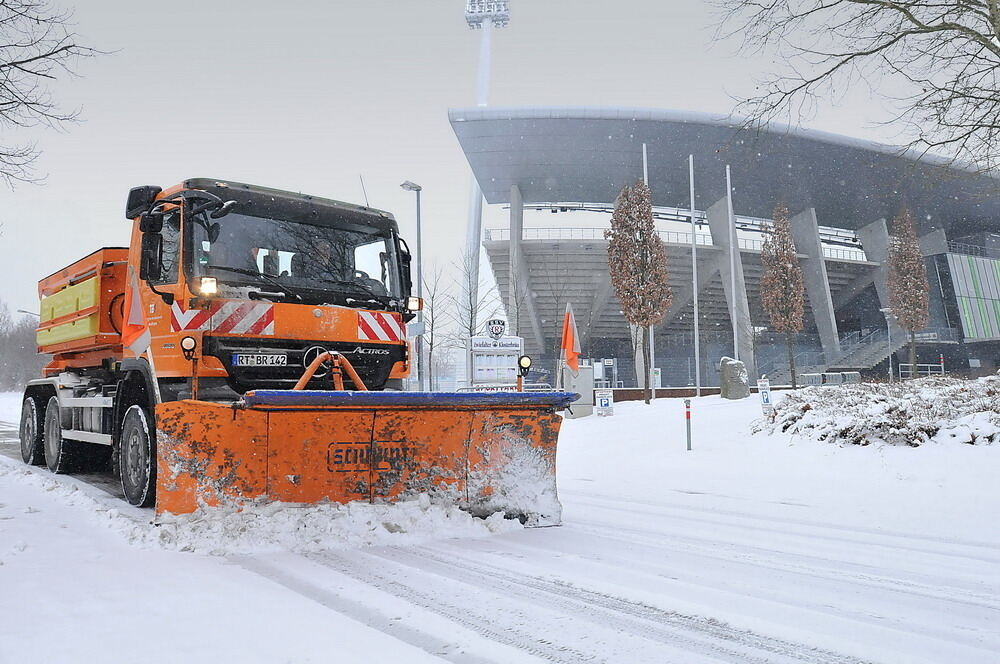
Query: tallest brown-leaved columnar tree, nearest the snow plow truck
637, 261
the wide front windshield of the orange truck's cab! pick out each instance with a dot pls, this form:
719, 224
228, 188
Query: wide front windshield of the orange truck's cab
329, 264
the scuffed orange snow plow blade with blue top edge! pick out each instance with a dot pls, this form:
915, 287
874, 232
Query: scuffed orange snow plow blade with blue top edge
487, 453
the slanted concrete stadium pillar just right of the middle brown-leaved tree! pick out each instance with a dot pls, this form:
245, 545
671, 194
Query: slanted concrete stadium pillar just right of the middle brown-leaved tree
805, 233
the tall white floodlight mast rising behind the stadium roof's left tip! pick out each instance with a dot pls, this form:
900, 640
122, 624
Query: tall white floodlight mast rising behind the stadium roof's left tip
479, 15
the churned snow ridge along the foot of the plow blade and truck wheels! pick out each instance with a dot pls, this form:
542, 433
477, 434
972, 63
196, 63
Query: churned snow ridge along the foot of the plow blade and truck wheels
269, 526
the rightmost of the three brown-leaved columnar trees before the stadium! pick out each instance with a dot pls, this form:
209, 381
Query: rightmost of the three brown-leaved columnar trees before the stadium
909, 290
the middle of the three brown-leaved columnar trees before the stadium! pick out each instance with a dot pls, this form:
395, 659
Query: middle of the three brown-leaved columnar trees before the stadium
782, 289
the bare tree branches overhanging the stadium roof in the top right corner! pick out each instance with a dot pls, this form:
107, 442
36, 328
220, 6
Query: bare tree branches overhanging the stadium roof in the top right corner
944, 53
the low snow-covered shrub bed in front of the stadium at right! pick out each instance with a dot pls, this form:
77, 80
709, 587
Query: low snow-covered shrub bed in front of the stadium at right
937, 409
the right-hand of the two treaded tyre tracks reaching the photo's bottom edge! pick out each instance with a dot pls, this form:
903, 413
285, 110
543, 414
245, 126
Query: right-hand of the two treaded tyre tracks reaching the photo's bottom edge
694, 634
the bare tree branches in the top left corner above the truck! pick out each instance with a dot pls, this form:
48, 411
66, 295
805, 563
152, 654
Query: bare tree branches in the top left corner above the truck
36, 46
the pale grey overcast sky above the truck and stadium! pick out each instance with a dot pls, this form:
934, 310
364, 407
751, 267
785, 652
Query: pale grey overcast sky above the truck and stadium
308, 95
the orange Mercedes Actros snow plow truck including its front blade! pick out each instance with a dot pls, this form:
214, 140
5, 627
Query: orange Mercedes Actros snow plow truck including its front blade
206, 364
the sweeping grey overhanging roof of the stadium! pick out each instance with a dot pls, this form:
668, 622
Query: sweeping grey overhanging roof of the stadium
581, 154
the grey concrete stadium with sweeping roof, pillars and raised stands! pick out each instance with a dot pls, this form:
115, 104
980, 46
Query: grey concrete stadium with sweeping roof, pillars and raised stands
842, 194
